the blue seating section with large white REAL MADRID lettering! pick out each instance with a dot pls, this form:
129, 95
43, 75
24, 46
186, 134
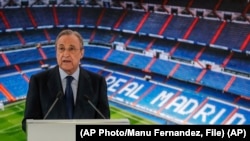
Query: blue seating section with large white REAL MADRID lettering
173, 103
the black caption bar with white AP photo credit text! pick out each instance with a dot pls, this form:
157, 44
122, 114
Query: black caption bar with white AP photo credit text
217, 132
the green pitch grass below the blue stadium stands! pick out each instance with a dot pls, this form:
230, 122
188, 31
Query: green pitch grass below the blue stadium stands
11, 117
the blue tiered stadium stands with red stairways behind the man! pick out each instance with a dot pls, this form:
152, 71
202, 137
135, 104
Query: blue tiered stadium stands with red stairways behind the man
182, 62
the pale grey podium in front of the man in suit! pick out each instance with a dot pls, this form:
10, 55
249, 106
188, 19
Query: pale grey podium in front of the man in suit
63, 130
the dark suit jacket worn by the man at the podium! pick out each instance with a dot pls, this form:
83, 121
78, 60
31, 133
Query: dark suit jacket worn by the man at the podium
44, 87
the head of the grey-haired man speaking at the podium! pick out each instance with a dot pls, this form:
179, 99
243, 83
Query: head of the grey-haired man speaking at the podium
69, 50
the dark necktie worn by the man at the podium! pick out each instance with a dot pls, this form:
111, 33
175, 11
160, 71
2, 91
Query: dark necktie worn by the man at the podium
69, 97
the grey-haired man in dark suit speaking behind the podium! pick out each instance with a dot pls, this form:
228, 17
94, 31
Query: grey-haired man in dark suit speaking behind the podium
44, 87
